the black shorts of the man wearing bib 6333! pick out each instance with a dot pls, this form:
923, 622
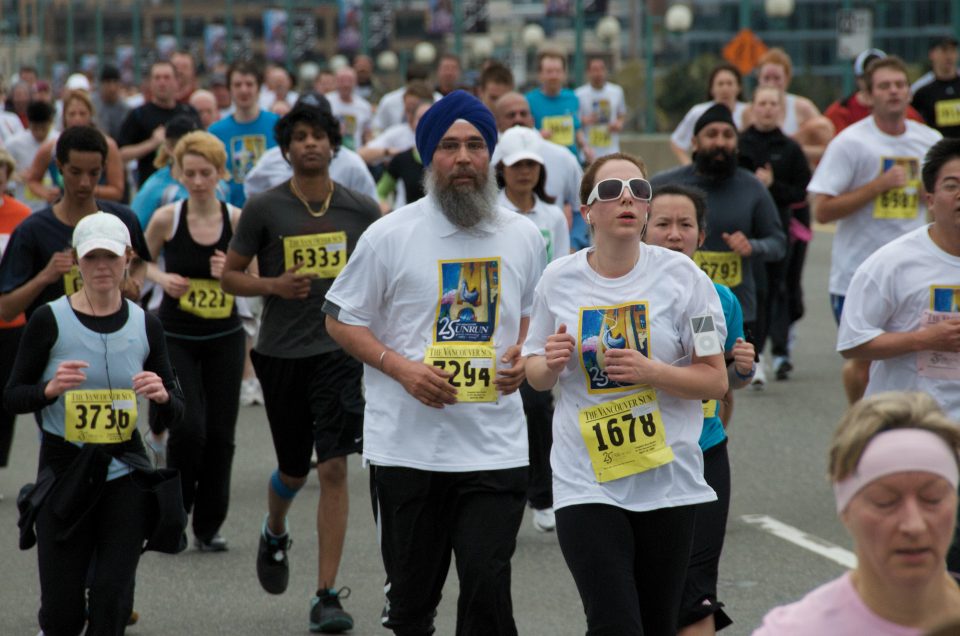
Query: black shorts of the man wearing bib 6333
313, 402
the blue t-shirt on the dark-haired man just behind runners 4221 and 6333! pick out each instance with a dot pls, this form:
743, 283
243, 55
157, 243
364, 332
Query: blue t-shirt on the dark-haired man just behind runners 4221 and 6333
245, 144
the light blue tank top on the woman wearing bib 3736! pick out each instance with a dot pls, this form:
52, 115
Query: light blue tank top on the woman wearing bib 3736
123, 352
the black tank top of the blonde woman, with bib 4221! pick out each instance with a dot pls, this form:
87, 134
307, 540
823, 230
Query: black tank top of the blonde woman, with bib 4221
205, 310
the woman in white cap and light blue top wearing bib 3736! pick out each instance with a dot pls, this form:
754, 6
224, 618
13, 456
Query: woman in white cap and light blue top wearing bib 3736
83, 363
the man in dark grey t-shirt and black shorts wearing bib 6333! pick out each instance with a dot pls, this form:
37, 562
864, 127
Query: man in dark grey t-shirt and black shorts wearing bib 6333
302, 233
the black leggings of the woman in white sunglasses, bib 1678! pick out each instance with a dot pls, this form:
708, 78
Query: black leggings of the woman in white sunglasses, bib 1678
629, 567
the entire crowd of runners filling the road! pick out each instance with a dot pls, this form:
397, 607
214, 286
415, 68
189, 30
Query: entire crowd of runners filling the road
478, 291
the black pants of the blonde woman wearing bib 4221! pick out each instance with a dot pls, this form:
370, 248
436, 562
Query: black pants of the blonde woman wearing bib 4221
201, 446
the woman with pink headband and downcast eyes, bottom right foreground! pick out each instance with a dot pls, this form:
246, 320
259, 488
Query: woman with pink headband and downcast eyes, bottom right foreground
893, 464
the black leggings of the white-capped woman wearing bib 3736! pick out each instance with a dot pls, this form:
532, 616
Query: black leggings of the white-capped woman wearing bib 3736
102, 552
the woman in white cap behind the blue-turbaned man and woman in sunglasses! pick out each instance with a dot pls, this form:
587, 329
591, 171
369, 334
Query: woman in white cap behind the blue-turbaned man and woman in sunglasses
522, 177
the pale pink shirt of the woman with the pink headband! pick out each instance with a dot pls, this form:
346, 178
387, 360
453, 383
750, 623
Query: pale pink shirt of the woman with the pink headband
832, 608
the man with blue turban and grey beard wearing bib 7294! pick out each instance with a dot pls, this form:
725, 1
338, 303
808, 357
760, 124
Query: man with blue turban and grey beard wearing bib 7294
435, 302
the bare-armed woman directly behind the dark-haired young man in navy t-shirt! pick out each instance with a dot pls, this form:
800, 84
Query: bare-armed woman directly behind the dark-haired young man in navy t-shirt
78, 110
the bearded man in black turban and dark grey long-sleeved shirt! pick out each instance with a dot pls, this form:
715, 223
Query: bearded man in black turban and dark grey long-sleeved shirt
743, 222
